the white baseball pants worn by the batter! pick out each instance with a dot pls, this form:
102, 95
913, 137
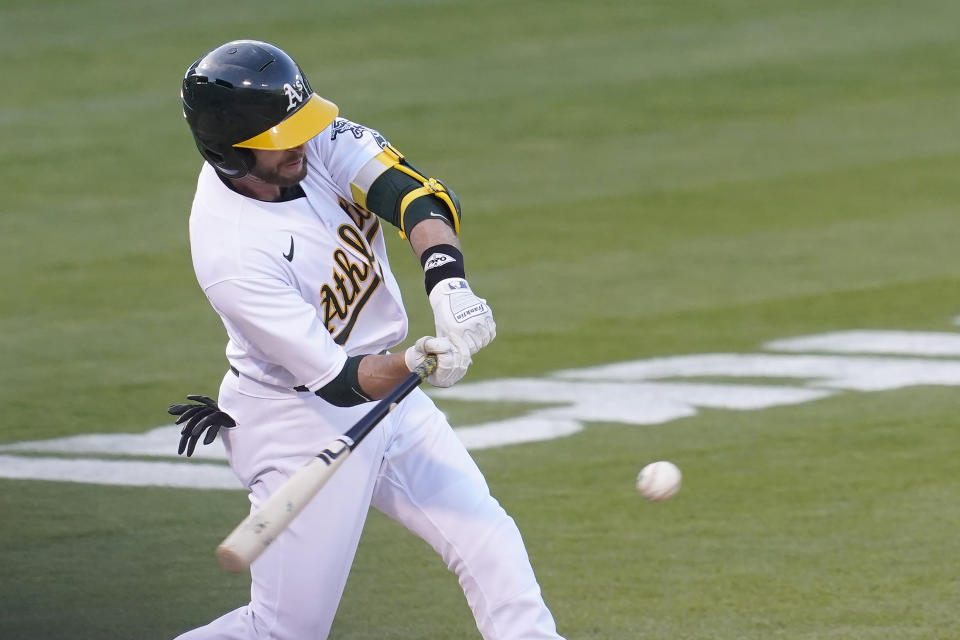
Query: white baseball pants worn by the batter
412, 468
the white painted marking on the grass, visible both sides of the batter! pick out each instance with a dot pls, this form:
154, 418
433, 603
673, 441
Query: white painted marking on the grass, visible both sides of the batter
634, 393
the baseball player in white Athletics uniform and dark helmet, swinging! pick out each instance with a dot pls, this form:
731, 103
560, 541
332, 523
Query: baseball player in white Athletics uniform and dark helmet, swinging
287, 243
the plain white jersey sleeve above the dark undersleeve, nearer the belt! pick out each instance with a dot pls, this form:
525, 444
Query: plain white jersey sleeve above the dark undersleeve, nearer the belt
272, 320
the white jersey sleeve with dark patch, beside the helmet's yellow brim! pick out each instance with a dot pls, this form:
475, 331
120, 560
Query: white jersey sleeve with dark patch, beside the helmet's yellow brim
349, 155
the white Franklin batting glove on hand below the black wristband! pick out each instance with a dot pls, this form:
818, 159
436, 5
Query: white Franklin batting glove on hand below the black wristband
459, 314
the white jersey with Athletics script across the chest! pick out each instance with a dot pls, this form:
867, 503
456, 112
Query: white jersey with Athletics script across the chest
301, 284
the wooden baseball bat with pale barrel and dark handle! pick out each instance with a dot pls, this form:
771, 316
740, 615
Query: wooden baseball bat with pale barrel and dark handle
255, 532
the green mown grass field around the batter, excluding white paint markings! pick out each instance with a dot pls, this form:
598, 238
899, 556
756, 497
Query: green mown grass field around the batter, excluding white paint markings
639, 180
